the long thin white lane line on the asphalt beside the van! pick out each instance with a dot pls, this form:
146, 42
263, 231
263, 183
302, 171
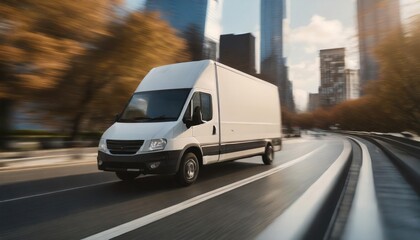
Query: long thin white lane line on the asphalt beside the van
142, 221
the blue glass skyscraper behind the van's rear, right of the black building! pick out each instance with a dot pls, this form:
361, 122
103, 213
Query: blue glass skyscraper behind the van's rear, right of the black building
273, 65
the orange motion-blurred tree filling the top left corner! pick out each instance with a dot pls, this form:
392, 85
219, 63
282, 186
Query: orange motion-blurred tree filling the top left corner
39, 41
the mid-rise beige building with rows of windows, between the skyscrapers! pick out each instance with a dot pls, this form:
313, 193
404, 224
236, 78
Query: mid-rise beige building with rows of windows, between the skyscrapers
332, 68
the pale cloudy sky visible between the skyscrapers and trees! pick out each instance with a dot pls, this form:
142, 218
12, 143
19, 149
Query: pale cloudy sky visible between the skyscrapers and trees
310, 25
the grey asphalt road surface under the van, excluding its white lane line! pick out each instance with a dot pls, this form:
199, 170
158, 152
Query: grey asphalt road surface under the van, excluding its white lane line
77, 201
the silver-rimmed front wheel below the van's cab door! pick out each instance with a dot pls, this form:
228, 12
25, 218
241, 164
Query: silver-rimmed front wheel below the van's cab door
188, 170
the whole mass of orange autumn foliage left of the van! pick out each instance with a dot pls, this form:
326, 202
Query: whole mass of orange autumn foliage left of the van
77, 62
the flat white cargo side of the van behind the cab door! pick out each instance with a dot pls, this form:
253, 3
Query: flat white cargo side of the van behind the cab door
249, 113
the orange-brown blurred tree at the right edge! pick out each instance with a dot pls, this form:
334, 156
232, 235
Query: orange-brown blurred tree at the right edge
398, 88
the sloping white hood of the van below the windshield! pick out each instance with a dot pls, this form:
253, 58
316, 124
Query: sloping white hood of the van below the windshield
139, 131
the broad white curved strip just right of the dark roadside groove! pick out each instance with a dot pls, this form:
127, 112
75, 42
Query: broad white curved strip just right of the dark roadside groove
364, 220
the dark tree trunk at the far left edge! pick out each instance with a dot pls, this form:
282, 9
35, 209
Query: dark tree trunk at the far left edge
6, 107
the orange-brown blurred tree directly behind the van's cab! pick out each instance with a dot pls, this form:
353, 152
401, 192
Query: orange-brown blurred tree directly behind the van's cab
102, 81
